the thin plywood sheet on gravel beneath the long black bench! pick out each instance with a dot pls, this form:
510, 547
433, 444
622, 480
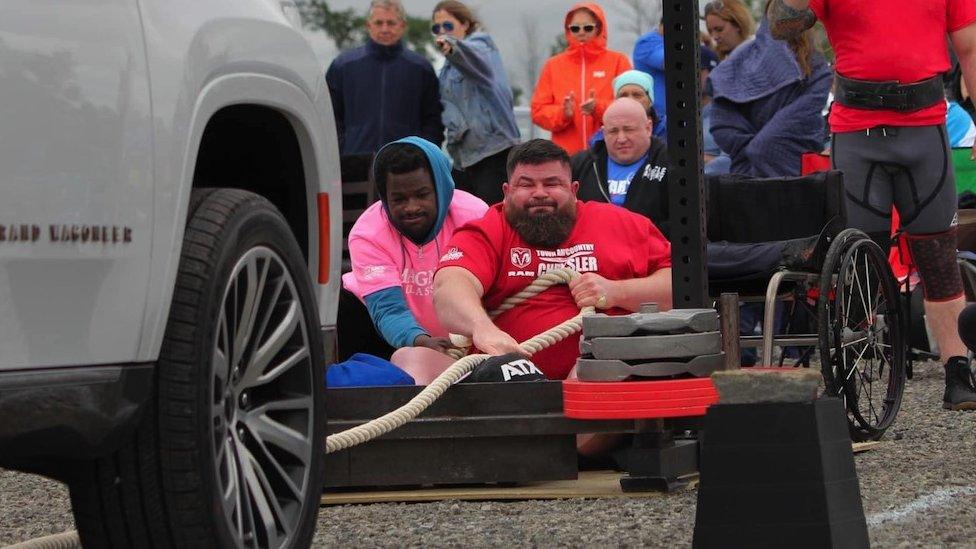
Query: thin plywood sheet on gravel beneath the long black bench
589, 485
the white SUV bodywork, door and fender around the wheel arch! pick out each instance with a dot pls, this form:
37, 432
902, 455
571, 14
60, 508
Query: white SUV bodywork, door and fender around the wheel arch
112, 99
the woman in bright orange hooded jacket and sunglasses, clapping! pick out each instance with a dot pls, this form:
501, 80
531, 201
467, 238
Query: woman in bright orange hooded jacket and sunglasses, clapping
576, 86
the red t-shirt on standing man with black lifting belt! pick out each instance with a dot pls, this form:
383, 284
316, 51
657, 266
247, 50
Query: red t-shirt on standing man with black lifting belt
878, 40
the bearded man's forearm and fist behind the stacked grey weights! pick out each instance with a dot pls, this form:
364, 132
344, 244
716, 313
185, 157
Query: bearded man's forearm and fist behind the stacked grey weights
588, 288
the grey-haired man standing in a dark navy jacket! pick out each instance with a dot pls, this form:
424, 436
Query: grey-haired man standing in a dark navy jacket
382, 91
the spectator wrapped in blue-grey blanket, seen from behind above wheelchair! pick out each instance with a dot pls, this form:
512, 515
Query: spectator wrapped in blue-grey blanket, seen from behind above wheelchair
767, 103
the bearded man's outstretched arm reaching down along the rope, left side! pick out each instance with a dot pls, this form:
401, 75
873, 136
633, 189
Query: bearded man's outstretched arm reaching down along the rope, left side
457, 300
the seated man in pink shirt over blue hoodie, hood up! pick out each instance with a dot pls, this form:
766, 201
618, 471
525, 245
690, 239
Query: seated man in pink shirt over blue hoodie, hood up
397, 242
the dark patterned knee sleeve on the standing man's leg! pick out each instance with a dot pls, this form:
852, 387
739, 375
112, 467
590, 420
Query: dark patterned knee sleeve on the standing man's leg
935, 257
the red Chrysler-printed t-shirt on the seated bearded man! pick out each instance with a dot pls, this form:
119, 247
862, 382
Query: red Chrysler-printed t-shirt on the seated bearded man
607, 239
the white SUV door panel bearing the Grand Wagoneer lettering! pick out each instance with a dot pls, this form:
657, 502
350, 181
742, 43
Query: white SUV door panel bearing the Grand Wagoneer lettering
77, 181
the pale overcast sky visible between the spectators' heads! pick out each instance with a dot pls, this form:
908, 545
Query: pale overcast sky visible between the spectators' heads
507, 20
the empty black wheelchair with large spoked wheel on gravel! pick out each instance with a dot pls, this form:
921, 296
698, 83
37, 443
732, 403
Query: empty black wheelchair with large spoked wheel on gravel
850, 293
